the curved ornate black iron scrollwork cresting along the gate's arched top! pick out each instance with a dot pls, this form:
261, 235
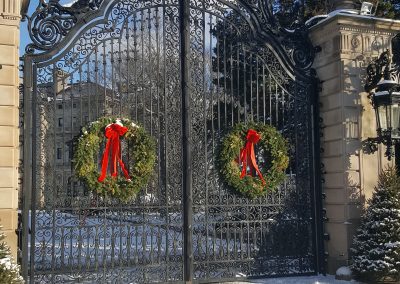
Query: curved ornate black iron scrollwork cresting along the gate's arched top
52, 26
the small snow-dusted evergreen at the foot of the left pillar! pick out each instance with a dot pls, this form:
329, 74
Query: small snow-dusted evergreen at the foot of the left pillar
9, 271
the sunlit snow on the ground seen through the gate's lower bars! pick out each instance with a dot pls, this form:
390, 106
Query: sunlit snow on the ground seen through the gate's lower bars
74, 245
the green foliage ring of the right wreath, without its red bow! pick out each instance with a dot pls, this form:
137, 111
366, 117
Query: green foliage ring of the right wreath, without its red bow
272, 147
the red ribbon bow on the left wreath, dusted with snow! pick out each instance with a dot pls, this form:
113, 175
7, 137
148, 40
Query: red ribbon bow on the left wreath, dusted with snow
112, 133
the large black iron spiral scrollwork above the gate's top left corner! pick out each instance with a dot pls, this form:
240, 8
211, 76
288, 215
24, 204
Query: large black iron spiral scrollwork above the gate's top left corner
51, 22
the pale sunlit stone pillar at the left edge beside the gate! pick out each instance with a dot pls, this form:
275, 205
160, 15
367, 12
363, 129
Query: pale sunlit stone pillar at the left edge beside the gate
9, 118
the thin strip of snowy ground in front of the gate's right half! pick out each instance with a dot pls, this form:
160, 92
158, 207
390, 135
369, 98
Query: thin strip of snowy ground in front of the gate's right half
320, 279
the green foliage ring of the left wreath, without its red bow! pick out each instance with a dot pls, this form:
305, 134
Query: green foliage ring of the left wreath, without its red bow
142, 153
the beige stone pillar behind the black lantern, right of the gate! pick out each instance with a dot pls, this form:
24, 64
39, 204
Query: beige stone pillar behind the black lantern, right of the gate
349, 43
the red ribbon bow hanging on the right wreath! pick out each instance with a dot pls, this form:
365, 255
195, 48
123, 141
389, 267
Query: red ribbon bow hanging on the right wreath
247, 155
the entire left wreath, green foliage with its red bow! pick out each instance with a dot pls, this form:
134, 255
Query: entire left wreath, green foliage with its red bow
112, 176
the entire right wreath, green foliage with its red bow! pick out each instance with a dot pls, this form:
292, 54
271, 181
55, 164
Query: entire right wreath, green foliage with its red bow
253, 159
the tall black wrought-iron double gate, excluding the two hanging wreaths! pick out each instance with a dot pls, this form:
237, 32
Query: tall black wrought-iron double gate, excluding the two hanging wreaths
187, 71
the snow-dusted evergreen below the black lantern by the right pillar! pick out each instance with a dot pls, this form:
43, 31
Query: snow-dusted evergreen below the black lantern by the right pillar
376, 246
